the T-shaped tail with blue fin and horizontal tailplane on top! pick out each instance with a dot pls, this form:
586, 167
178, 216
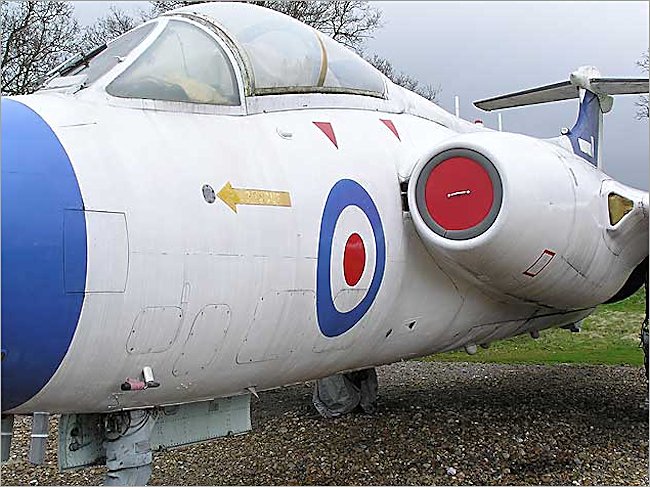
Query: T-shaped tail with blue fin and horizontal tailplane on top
595, 94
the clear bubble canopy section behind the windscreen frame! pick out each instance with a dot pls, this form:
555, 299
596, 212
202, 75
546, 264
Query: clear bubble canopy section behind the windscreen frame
284, 55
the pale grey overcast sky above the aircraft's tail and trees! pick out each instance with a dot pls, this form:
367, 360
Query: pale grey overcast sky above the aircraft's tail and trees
481, 49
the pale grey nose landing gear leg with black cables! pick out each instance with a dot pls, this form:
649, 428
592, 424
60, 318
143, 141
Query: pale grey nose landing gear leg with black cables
128, 447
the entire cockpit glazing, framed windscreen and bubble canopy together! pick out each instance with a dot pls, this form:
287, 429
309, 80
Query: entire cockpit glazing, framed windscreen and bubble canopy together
202, 53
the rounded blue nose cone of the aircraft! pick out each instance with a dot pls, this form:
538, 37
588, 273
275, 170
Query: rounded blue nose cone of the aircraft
43, 253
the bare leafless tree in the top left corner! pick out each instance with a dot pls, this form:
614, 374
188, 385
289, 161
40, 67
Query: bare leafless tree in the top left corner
36, 36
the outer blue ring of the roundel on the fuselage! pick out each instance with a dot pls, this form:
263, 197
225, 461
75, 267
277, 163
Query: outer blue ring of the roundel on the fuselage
345, 193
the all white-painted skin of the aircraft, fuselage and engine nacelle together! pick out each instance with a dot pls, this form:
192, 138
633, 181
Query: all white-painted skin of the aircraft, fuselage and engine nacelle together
216, 302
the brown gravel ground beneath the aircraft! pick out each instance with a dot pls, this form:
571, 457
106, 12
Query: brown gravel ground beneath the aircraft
438, 423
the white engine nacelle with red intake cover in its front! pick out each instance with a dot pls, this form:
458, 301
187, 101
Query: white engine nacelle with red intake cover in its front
526, 219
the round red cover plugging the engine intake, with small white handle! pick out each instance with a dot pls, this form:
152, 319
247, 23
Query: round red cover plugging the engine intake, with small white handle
458, 193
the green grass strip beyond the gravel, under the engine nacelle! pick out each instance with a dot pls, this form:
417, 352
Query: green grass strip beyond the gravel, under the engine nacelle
609, 336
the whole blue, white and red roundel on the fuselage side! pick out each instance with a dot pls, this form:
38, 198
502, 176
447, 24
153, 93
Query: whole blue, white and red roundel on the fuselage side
351, 258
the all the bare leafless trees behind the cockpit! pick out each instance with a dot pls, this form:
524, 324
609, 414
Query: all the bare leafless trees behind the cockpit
36, 36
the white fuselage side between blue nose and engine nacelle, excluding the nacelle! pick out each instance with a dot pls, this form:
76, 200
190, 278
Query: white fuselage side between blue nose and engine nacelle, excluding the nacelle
217, 301
